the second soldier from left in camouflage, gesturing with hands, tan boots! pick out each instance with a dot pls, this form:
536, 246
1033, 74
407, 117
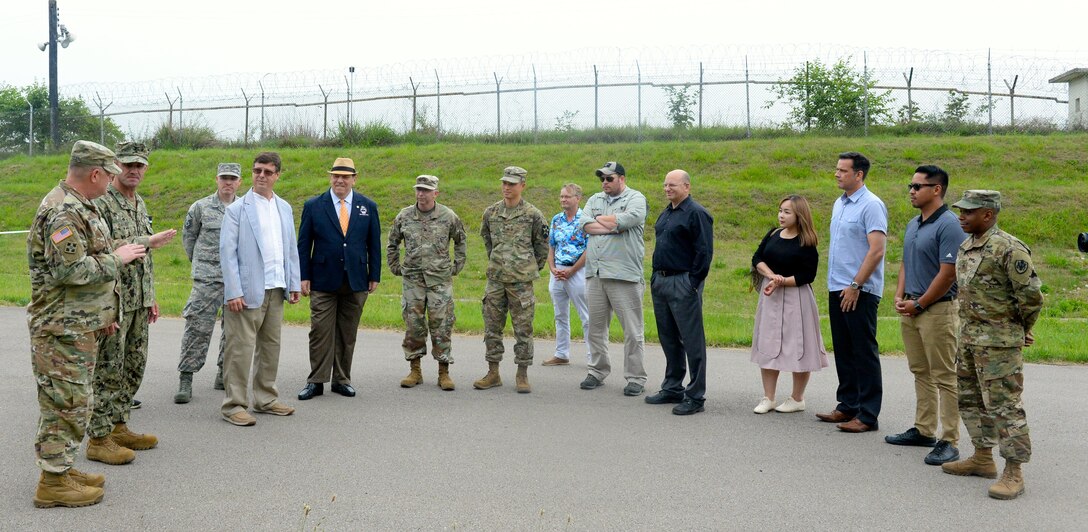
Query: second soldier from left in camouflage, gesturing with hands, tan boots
122, 357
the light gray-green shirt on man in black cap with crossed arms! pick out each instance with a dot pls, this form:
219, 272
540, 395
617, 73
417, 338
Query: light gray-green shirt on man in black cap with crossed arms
620, 255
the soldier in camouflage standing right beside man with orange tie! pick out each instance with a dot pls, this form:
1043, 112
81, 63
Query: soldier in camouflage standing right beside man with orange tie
427, 295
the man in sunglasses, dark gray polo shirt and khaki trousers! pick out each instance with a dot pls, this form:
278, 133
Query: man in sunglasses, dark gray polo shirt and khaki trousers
925, 302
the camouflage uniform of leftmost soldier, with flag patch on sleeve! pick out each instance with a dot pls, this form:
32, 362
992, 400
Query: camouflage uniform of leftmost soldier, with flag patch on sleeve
73, 274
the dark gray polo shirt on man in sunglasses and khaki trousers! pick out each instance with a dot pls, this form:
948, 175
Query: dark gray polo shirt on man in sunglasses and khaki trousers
928, 245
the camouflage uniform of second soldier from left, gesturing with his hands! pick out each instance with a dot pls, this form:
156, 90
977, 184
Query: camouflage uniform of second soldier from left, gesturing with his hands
123, 356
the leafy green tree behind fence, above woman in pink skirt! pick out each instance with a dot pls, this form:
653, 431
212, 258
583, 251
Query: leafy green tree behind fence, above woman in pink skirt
832, 97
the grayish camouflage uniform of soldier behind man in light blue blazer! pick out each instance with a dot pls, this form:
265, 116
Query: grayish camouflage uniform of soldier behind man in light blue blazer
201, 239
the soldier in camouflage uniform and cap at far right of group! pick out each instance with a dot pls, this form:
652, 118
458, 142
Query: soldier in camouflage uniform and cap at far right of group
1000, 300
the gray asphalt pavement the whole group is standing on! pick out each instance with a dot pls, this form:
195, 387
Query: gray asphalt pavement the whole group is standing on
558, 459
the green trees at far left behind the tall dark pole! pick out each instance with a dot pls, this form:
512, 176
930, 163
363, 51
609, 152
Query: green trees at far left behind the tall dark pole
75, 120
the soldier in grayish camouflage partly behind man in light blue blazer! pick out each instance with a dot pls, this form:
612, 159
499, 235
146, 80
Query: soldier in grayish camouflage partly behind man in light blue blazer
201, 239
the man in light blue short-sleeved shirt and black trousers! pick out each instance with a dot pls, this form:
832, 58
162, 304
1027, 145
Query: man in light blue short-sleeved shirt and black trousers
855, 283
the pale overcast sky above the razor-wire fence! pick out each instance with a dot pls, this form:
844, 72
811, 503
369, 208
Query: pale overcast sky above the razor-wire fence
144, 40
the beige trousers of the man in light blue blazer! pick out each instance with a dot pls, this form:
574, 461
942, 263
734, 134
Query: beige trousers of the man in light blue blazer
254, 343
